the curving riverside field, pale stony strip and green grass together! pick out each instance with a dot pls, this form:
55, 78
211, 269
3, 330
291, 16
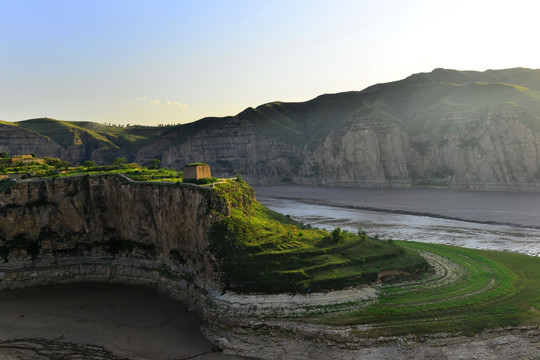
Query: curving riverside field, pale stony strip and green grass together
467, 291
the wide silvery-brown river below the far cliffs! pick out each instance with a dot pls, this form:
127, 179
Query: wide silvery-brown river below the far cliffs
504, 221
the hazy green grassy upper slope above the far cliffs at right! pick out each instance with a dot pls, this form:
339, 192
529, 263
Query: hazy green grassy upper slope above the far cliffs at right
421, 103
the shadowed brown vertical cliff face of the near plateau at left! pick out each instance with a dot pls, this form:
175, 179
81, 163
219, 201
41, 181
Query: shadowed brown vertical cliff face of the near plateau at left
109, 219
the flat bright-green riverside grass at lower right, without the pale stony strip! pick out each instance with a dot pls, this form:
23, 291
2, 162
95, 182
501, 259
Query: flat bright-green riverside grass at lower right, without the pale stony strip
496, 289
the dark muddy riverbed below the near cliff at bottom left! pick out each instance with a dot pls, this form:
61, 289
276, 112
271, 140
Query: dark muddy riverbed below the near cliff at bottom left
99, 321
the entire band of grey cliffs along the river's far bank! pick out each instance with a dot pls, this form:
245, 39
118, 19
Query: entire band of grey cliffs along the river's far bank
485, 151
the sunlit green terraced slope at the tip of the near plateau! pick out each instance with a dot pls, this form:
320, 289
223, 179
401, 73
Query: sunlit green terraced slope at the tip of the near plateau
264, 252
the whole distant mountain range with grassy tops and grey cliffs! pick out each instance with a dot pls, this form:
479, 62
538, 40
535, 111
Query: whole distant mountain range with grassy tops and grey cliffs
450, 128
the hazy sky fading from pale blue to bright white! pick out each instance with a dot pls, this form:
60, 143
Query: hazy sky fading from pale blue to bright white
162, 62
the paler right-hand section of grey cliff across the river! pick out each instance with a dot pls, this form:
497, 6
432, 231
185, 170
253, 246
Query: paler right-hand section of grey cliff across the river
492, 154
